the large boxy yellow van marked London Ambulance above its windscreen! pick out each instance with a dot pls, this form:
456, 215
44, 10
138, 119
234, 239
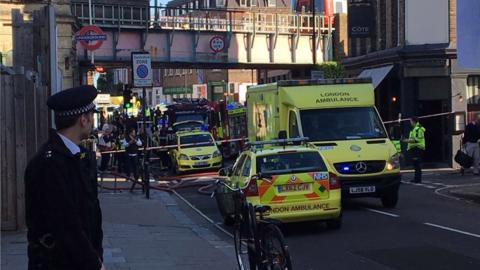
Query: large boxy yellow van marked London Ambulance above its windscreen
339, 117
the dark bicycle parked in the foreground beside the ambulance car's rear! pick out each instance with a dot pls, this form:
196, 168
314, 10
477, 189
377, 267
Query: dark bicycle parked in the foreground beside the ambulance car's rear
264, 242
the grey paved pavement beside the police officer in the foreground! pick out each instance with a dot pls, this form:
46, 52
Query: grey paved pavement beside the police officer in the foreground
160, 233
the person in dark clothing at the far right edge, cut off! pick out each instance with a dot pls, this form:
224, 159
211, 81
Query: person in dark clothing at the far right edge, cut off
470, 142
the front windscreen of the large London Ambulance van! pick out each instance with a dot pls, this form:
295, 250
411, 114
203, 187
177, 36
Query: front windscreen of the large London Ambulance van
342, 124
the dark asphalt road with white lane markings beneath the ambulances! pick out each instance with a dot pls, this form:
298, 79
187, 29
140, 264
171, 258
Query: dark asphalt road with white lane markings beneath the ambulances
425, 231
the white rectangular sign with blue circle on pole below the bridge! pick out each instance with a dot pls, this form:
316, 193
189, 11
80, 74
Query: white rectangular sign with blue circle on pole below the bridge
142, 69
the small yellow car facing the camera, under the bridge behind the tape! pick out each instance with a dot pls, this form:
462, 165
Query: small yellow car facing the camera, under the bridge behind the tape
196, 150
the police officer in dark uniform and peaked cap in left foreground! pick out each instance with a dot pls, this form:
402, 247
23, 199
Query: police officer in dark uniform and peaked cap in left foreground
63, 214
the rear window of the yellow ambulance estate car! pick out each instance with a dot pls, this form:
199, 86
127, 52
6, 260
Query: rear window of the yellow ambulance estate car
292, 162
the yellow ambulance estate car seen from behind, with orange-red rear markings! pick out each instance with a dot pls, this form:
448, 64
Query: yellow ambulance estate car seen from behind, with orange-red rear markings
293, 180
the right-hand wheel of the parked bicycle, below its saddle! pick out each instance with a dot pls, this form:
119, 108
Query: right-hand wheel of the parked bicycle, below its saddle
274, 249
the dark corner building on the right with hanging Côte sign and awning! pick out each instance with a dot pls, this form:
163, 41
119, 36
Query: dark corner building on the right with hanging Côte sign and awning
408, 48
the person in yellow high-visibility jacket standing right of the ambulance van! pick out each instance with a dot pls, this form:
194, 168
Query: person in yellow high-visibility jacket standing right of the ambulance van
416, 147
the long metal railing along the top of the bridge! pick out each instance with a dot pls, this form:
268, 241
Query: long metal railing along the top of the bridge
201, 19
